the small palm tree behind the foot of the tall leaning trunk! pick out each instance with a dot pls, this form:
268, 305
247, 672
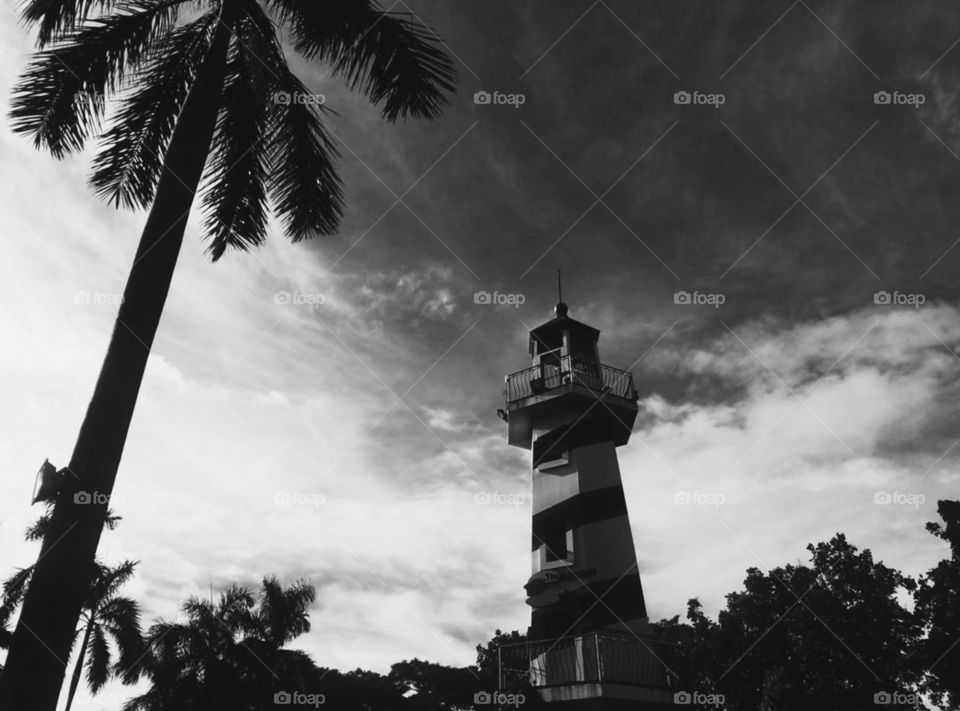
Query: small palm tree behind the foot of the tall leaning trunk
106, 616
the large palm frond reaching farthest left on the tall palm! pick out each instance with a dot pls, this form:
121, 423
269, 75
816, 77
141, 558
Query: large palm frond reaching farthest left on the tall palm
60, 97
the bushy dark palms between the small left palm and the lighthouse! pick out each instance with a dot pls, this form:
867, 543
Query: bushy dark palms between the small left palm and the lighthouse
229, 654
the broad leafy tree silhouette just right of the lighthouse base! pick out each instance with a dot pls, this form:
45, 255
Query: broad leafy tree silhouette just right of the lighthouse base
830, 635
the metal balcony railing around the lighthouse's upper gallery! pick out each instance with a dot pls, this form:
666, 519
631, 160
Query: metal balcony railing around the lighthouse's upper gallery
546, 376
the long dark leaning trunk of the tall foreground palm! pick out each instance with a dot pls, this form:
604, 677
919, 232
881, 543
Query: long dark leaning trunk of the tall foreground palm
36, 664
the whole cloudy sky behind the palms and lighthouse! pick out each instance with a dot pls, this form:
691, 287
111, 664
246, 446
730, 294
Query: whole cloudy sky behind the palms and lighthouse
775, 261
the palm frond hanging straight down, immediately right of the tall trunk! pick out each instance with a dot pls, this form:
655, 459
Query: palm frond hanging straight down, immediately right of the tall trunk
234, 193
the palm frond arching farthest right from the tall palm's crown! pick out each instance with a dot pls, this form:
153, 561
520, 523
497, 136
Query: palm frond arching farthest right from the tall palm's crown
393, 58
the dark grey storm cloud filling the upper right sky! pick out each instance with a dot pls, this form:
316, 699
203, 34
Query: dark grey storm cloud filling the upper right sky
711, 204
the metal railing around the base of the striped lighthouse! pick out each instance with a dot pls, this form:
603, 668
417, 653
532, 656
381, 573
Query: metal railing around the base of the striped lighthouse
591, 658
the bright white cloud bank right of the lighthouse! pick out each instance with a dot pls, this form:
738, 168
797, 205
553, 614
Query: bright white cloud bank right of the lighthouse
831, 413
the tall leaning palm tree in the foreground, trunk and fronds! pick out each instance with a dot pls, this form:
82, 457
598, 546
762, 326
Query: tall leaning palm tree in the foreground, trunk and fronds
208, 92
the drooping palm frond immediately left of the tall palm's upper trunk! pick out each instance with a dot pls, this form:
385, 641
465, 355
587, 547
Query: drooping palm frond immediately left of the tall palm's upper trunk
130, 160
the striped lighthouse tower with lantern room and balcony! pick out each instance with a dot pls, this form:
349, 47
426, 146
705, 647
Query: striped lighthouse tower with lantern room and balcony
589, 645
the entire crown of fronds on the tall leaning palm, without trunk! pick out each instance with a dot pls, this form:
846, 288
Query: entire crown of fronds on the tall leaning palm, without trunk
271, 147
